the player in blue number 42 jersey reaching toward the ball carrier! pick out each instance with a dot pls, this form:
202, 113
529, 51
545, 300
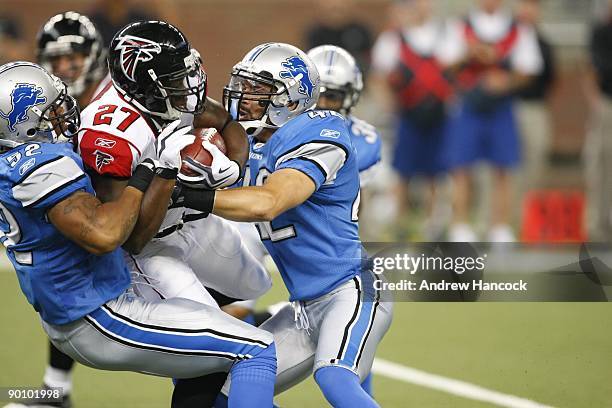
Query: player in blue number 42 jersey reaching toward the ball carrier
302, 188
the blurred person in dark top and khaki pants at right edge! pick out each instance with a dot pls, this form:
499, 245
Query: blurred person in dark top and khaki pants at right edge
598, 147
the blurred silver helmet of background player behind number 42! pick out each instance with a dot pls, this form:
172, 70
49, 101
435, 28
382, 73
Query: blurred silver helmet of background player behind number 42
341, 77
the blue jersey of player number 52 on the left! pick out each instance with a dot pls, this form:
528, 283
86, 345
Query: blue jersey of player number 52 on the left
60, 279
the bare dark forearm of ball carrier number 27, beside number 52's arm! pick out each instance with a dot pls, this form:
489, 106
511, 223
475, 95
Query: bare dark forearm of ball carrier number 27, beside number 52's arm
152, 212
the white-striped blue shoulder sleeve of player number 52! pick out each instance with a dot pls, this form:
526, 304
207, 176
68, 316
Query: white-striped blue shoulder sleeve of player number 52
51, 182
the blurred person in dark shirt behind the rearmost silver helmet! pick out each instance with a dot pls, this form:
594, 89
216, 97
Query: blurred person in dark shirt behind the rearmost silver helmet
337, 26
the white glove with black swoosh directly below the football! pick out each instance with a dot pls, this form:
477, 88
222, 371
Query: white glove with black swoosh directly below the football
222, 172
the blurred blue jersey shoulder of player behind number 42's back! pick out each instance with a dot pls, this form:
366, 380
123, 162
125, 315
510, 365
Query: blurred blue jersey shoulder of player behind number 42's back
367, 143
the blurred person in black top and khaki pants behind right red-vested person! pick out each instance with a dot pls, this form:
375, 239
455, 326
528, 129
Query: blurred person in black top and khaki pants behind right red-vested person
532, 109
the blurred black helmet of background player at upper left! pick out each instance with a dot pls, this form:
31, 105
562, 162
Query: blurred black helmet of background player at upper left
70, 33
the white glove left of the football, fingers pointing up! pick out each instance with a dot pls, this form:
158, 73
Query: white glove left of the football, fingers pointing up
170, 142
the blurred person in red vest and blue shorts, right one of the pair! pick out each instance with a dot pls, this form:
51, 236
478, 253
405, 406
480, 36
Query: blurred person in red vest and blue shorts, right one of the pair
492, 56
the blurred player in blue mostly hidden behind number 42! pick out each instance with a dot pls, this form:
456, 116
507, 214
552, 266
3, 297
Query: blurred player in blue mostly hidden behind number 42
341, 86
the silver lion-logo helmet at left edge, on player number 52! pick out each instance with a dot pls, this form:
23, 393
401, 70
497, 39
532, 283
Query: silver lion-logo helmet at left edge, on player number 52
34, 106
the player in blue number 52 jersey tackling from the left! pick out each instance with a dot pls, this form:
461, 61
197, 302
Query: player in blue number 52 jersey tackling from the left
64, 244
